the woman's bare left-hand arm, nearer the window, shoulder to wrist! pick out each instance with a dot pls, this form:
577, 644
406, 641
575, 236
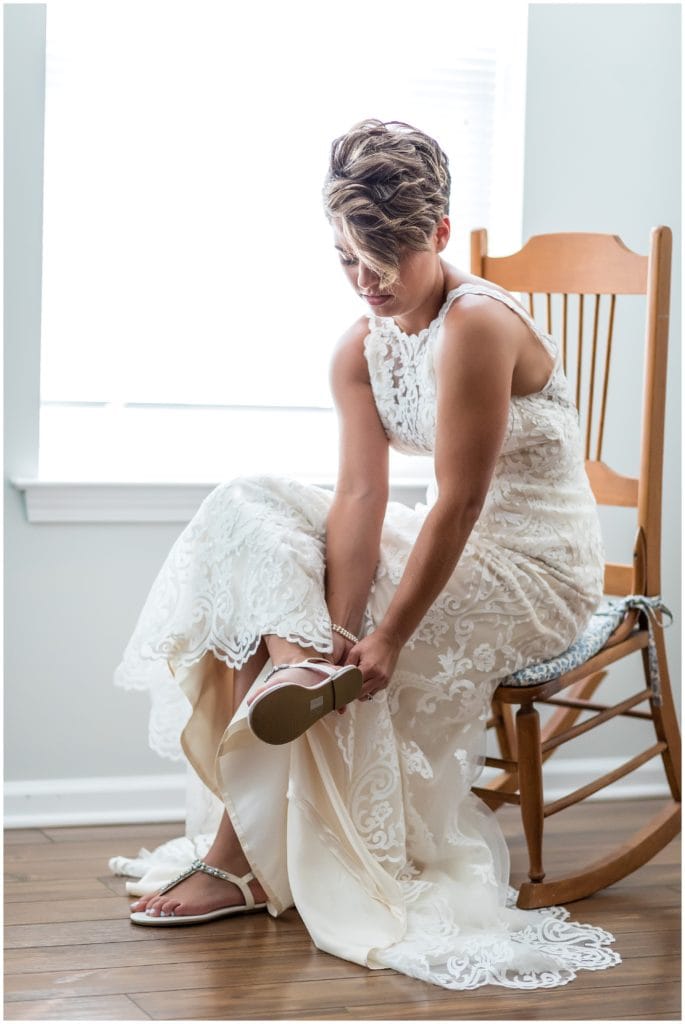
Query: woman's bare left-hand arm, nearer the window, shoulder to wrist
356, 519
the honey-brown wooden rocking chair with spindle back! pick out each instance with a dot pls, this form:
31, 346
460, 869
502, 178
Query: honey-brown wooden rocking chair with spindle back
598, 266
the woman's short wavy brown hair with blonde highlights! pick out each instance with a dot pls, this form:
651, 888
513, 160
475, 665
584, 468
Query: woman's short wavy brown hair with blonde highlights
390, 185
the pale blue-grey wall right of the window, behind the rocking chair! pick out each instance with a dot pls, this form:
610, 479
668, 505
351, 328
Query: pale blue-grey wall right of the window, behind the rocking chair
604, 154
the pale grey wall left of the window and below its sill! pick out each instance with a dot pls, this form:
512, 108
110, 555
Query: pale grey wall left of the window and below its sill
72, 592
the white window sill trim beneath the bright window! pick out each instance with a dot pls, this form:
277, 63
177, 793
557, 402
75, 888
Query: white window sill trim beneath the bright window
73, 501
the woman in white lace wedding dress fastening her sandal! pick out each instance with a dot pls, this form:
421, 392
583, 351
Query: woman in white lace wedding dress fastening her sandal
366, 821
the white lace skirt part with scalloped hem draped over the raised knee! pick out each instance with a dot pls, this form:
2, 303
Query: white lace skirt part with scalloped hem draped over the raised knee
250, 564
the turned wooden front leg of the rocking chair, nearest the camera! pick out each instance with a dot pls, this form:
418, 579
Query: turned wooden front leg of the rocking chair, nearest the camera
531, 778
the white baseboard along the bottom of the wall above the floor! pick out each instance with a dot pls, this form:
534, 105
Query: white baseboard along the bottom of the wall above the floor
132, 799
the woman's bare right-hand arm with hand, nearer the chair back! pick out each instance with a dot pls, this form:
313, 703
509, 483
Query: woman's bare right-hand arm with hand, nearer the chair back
475, 368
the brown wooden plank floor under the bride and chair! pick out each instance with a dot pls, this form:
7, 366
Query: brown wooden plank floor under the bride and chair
72, 953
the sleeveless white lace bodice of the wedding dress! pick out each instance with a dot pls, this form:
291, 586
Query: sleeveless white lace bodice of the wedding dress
540, 503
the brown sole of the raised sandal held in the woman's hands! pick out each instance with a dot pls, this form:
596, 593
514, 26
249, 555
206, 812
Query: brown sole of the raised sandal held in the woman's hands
287, 711
